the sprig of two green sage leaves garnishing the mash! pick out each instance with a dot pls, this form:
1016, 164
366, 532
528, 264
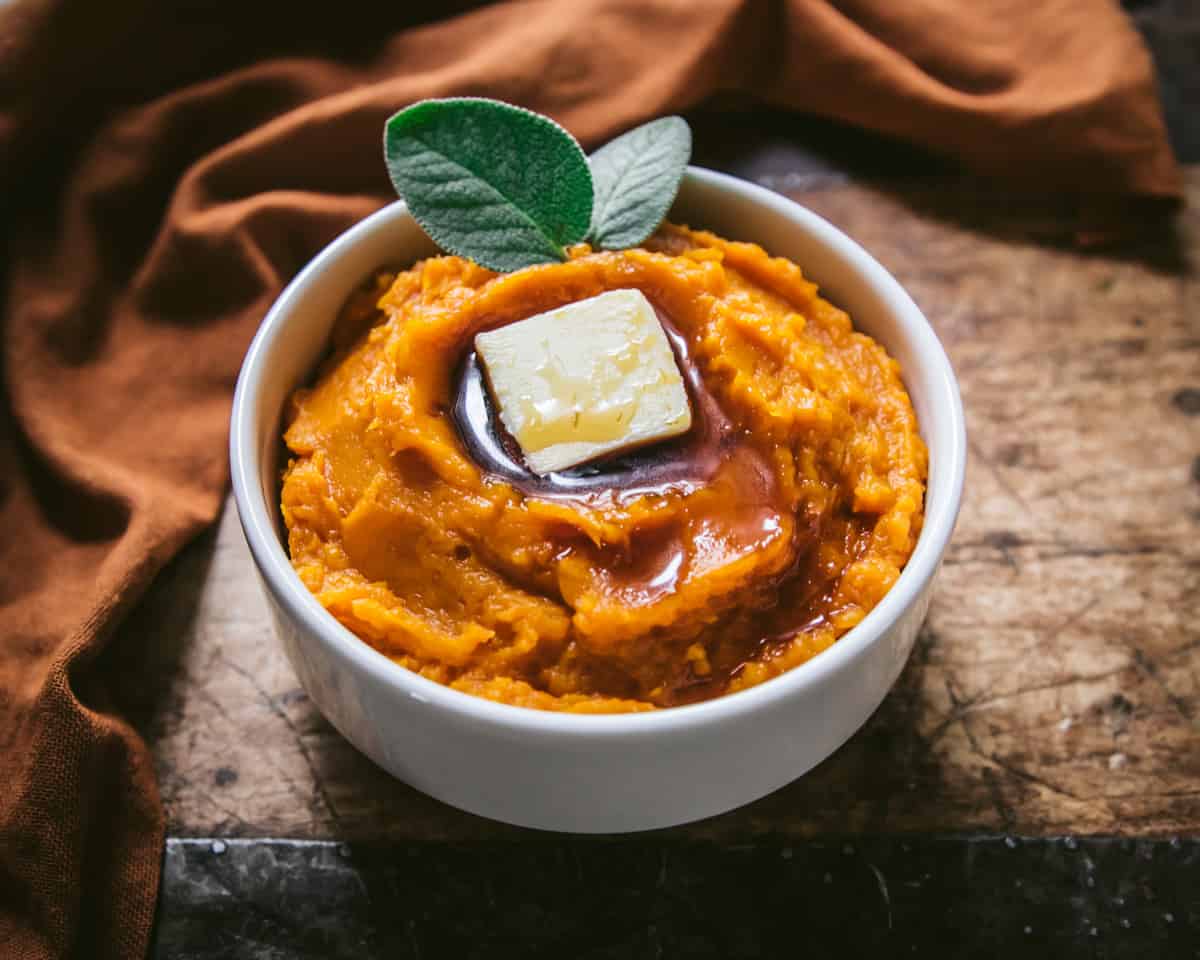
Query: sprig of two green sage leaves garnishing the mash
508, 188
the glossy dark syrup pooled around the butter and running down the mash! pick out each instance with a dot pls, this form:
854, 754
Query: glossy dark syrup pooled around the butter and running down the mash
716, 454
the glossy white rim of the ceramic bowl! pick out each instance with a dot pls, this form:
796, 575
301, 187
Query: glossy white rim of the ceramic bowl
299, 604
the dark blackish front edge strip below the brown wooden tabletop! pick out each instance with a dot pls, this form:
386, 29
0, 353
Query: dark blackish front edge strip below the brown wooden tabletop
554, 896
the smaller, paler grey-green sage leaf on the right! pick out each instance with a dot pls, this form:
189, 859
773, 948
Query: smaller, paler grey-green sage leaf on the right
637, 178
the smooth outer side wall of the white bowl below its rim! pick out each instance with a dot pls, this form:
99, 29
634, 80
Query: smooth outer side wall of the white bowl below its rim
557, 779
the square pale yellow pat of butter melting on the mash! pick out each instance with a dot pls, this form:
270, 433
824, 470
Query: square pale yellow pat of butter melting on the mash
585, 381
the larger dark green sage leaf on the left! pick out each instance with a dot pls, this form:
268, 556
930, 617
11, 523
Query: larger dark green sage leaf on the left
497, 184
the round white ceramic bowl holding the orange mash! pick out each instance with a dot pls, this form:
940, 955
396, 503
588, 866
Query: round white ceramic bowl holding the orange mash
625, 772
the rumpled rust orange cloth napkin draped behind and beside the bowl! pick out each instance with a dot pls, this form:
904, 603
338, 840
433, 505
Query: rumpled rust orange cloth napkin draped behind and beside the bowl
165, 167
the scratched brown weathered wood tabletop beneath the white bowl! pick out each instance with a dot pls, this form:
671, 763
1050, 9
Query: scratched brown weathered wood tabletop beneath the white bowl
1057, 687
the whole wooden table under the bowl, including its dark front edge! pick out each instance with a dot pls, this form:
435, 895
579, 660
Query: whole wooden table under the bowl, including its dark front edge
1054, 692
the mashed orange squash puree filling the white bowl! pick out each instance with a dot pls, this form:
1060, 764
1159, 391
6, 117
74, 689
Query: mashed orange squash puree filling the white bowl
613, 599
